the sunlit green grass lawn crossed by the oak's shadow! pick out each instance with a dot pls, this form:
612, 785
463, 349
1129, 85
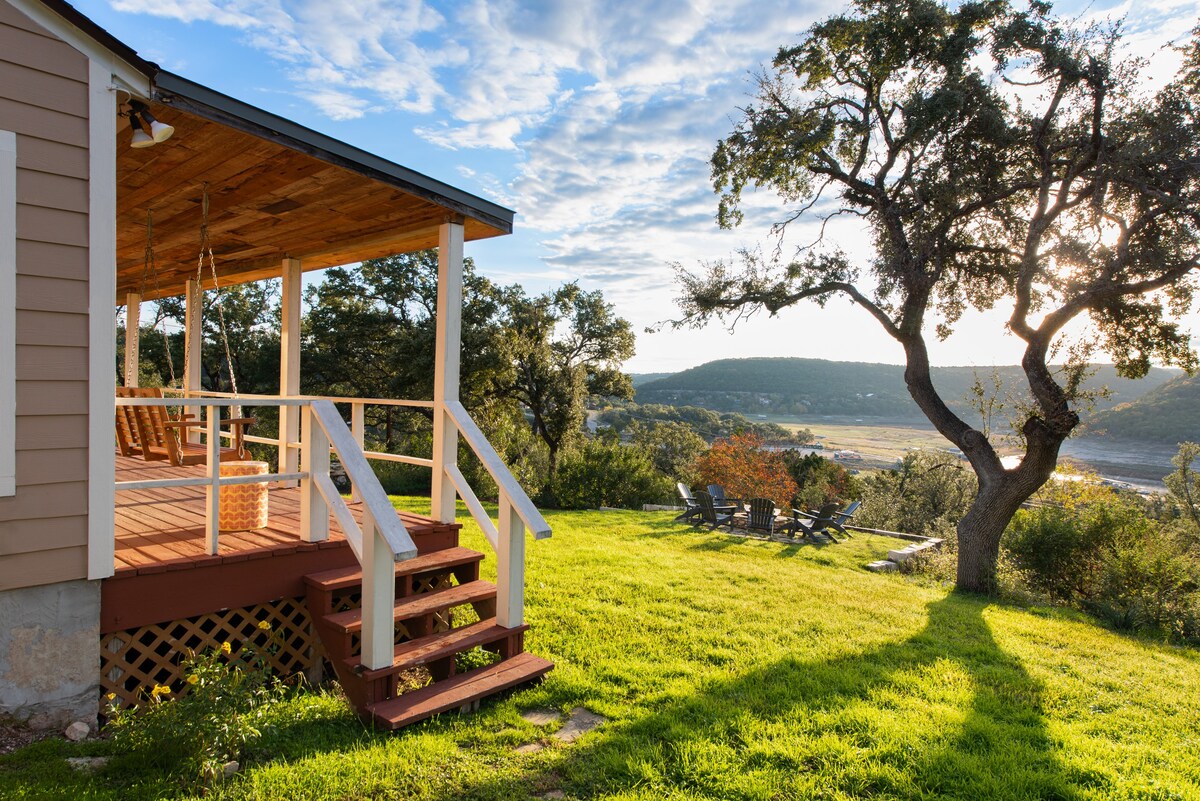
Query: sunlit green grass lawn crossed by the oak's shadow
742, 670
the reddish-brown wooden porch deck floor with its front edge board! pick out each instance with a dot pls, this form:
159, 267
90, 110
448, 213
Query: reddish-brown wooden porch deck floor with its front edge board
165, 573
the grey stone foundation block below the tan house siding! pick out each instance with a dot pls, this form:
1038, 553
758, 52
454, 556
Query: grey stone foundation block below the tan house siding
50, 670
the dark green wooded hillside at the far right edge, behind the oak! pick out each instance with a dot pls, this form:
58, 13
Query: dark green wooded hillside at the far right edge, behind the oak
1168, 414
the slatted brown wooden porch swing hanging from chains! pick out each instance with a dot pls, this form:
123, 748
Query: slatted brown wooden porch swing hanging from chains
158, 433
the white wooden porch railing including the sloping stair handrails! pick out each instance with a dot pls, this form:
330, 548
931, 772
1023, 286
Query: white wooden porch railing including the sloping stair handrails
323, 431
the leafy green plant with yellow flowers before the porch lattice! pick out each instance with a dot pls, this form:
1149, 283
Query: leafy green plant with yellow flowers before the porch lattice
195, 730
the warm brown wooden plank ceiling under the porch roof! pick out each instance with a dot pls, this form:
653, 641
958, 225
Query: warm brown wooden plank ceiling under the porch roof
267, 202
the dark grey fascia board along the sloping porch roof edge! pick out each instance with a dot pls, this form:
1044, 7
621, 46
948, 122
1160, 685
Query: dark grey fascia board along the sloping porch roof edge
189, 97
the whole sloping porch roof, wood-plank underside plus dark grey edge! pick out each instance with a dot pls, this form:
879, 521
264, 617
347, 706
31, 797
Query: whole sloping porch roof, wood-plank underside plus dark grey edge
277, 190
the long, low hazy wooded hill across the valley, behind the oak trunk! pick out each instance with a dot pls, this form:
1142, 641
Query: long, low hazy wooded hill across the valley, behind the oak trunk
815, 387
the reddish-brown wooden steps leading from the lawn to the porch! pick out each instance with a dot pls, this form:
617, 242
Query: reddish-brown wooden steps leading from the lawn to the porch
429, 588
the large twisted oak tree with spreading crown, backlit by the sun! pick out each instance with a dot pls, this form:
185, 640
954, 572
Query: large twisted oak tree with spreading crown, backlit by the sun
998, 158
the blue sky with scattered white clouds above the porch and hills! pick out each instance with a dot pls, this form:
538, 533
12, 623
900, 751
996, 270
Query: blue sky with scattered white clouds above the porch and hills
593, 121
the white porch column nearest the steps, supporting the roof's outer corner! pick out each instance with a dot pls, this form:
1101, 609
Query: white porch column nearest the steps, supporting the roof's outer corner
446, 368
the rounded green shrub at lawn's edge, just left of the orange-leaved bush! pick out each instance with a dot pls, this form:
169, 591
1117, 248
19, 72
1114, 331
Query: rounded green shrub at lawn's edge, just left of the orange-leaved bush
599, 474
